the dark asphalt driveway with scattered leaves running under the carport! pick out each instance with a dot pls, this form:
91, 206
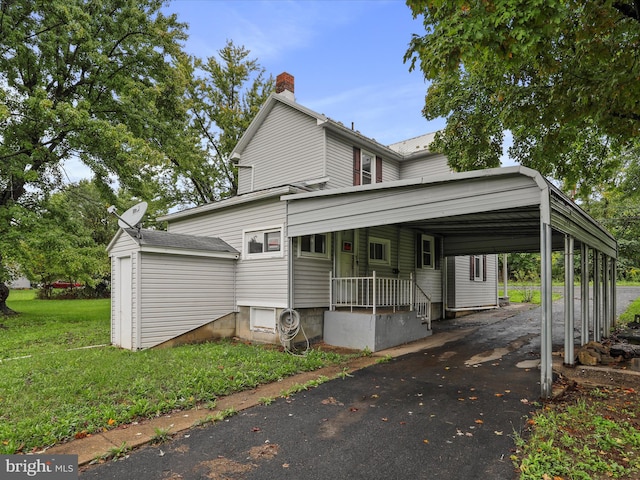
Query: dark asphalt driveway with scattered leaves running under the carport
447, 412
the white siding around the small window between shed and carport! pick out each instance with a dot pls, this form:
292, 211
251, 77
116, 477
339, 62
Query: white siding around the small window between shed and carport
260, 281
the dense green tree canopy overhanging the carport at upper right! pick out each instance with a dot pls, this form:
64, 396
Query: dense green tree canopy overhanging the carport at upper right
561, 76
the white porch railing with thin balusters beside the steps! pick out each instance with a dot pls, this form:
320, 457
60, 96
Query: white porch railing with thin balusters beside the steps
379, 292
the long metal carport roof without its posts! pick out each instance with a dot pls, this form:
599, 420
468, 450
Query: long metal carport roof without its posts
486, 211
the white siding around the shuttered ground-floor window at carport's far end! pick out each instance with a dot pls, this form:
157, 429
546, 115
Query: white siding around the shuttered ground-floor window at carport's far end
463, 292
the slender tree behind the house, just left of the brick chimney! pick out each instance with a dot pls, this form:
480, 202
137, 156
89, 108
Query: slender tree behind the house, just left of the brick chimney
224, 96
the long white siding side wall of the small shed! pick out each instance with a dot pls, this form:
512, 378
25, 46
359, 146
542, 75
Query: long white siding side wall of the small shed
180, 293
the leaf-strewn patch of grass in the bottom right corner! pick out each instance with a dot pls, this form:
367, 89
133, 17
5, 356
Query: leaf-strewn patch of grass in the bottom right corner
589, 437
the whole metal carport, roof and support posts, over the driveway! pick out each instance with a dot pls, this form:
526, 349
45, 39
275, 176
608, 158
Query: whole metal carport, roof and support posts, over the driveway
502, 210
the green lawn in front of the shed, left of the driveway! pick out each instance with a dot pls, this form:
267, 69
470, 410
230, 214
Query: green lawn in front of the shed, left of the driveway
53, 389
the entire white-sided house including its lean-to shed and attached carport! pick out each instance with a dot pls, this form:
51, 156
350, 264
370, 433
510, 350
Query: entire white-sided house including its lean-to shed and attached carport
333, 235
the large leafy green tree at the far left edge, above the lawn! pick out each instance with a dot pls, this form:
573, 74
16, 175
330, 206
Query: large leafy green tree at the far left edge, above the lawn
90, 79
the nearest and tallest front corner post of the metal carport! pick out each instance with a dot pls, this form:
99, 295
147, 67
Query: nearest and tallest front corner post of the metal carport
546, 335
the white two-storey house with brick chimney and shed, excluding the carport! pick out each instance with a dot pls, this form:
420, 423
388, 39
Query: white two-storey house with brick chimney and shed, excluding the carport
370, 287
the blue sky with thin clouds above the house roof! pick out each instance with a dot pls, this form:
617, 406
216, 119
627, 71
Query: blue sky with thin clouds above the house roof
346, 55
